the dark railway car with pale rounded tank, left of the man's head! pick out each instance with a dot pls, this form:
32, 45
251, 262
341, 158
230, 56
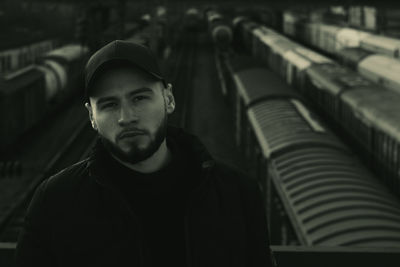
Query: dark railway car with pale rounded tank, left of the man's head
29, 94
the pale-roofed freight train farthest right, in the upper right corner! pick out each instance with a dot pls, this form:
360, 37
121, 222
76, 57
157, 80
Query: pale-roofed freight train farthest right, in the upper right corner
375, 57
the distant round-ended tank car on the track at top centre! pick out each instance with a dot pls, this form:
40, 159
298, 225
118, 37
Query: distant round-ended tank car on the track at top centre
220, 29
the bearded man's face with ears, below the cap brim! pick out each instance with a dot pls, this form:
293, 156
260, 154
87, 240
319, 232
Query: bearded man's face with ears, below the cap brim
129, 111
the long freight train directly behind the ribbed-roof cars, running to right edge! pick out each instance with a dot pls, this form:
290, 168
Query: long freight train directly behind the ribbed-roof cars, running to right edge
364, 111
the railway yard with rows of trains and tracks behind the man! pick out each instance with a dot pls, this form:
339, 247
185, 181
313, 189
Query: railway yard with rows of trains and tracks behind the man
305, 101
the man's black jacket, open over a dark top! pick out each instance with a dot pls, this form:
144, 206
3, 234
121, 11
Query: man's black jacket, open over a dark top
79, 218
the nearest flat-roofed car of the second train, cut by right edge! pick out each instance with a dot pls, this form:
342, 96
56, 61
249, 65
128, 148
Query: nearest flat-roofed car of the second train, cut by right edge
373, 116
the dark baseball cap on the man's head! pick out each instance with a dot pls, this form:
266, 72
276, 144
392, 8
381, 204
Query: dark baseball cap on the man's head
138, 55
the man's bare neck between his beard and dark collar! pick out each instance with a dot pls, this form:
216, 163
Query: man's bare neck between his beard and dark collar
157, 161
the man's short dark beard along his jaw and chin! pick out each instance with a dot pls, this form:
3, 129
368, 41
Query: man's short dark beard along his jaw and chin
136, 155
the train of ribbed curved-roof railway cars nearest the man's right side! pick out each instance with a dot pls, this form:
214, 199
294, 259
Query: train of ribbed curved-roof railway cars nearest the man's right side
317, 192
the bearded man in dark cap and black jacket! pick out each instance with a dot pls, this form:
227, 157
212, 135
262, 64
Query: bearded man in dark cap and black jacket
150, 194
